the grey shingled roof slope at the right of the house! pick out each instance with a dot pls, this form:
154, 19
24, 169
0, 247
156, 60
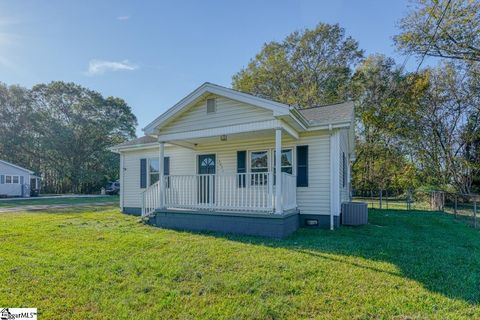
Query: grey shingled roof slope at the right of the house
328, 114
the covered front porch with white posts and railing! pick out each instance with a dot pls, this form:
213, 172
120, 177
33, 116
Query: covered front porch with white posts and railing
265, 180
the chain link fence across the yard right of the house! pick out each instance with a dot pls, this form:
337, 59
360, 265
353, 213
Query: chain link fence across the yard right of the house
461, 205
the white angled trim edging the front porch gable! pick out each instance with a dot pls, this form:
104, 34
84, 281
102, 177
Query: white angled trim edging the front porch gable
277, 107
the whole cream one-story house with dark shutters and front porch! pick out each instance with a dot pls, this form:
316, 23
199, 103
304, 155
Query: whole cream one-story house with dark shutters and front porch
234, 162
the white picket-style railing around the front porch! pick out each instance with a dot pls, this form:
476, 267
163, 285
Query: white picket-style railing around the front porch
249, 192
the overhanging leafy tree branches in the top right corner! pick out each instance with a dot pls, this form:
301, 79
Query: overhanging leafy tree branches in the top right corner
442, 28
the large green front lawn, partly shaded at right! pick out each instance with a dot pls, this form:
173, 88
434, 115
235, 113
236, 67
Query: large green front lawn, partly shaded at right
95, 263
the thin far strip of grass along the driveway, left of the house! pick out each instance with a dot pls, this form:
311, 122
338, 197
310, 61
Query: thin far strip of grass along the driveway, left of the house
59, 200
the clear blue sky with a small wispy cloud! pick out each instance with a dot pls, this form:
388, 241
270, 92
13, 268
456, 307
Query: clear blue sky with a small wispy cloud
153, 53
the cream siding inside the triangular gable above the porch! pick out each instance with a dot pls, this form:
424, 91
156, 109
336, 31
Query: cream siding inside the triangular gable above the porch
228, 112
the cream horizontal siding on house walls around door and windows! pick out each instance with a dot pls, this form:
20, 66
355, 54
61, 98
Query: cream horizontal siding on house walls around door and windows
314, 199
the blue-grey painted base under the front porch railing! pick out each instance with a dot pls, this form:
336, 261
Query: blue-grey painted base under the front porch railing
245, 223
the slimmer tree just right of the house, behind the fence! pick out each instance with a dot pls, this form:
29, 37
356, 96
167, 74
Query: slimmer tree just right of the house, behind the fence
382, 95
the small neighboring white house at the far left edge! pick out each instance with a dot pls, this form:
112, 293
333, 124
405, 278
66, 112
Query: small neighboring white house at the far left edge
16, 181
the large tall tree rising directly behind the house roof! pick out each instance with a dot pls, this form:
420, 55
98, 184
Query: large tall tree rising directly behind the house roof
307, 68
